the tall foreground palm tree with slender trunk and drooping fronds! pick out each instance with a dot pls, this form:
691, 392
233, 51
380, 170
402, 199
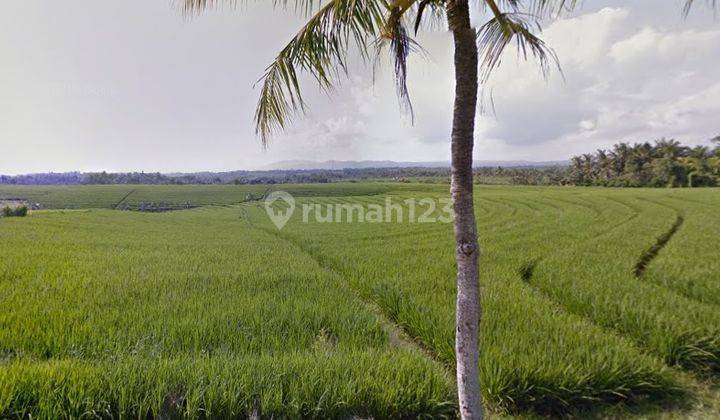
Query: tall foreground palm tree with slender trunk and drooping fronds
320, 49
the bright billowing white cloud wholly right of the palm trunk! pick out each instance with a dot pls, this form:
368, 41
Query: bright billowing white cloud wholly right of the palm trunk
622, 83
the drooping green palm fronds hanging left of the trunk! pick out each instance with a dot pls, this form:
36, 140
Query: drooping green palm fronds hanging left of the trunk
320, 49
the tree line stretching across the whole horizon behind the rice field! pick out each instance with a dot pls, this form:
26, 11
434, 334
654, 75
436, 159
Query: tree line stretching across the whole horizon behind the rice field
666, 163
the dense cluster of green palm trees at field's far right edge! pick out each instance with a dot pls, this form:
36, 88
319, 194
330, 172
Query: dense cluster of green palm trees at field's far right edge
667, 163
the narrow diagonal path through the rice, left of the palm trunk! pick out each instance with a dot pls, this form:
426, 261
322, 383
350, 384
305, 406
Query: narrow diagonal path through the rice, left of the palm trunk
397, 335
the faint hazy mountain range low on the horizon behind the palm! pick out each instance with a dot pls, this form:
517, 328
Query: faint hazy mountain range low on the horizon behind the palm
364, 164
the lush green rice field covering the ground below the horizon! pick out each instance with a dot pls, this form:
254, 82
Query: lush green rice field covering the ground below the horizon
596, 303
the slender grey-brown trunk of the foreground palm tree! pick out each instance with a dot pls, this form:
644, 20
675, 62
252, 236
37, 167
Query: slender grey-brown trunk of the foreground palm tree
467, 251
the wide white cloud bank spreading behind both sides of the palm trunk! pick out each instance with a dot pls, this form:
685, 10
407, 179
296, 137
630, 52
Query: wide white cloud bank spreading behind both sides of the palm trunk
625, 79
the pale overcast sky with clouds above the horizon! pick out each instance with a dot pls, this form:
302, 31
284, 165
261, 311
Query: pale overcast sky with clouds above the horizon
134, 85
